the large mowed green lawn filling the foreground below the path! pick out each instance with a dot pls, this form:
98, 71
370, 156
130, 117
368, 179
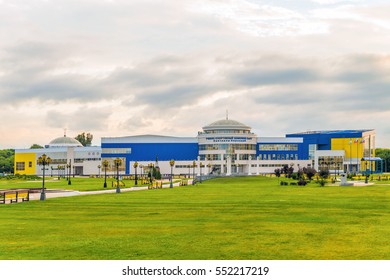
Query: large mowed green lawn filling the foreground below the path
231, 218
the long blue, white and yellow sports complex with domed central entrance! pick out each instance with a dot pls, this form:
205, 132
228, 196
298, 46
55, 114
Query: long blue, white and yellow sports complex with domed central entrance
225, 147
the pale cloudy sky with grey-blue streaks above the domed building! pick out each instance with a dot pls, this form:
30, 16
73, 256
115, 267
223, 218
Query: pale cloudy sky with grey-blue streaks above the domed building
170, 67
